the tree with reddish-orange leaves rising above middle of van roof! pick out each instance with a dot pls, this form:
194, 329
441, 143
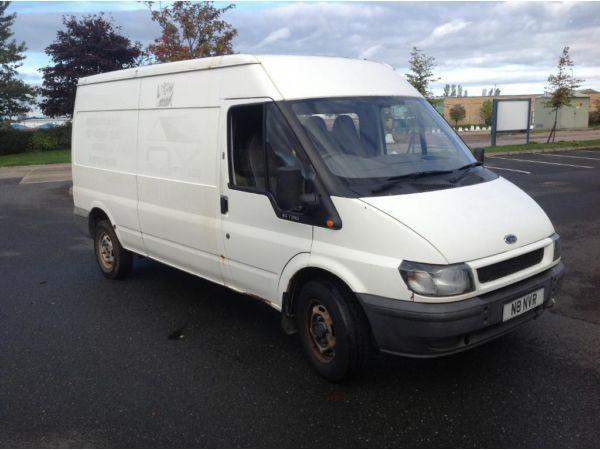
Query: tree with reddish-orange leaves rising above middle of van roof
191, 30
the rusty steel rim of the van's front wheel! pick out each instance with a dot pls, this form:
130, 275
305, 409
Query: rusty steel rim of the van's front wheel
321, 332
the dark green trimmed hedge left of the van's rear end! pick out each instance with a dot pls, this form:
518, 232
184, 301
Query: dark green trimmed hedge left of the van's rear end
34, 140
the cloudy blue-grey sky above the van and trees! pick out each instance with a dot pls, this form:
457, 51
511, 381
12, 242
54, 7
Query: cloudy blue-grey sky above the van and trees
512, 45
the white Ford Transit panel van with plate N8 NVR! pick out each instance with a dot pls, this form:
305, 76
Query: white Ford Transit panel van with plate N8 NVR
326, 187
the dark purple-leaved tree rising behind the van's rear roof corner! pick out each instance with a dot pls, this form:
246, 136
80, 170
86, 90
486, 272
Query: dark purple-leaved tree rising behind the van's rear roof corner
87, 46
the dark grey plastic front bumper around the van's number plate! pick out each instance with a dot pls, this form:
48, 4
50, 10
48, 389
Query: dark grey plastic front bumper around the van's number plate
437, 329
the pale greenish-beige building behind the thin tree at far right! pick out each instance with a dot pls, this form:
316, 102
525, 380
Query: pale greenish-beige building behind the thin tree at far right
569, 117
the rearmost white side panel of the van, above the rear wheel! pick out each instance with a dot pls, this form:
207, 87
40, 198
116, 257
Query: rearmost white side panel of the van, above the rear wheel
104, 155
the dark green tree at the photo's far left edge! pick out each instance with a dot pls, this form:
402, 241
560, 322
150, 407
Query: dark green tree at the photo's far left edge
16, 96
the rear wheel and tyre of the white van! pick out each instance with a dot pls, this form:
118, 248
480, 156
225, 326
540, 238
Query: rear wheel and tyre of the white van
114, 261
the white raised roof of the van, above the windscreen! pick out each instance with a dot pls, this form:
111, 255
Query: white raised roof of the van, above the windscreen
293, 76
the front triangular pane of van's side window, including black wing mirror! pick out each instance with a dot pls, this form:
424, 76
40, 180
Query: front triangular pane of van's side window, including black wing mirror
290, 174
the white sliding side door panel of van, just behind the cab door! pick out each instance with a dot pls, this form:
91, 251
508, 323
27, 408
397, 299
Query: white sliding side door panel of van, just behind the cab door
177, 171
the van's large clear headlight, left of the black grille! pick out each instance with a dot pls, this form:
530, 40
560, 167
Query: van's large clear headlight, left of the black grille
436, 280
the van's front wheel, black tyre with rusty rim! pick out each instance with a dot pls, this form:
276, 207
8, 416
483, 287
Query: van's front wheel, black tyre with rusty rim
324, 301
